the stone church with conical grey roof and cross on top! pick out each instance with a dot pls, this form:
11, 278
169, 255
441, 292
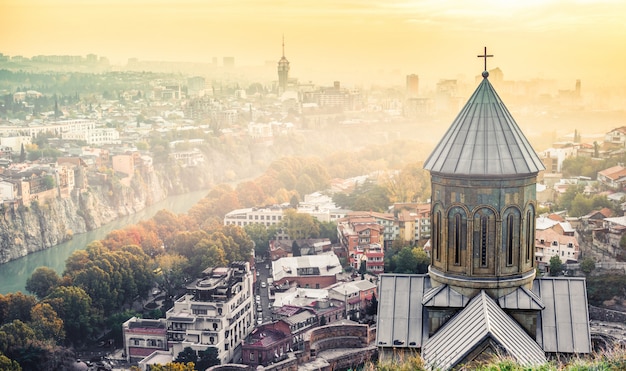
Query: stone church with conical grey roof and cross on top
481, 296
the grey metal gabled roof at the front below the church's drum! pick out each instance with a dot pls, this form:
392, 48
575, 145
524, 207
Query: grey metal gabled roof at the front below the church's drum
481, 320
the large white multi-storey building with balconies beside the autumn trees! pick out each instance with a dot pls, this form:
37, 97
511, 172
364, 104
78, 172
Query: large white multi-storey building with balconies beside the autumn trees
217, 311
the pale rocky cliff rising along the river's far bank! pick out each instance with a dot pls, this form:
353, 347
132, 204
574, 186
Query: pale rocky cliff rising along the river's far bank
43, 224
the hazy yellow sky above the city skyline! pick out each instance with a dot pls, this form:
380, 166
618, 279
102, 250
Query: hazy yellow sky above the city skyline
563, 39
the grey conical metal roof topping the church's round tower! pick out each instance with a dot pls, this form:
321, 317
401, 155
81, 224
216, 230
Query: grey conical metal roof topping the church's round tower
484, 140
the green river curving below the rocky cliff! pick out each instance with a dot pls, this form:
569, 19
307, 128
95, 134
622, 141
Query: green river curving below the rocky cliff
13, 275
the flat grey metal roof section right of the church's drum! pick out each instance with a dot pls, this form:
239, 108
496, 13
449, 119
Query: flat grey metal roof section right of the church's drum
564, 322
